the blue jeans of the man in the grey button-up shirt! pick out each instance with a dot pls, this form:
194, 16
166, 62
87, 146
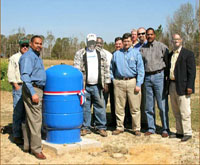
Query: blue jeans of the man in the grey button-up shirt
154, 85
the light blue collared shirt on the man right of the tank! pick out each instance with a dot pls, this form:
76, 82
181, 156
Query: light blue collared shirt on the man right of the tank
127, 64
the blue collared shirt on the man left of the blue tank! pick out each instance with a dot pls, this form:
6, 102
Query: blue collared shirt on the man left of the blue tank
32, 70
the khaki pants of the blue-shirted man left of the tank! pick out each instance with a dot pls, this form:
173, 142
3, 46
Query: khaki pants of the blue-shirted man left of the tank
32, 127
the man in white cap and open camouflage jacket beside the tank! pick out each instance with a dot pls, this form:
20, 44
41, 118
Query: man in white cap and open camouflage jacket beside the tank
93, 64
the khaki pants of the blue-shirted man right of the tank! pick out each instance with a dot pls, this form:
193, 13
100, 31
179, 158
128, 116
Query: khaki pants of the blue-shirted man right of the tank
124, 89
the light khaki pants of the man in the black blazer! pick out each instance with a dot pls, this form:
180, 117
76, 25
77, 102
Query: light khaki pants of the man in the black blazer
181, 110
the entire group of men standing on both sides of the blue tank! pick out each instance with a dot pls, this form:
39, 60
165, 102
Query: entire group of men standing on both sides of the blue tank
139, 72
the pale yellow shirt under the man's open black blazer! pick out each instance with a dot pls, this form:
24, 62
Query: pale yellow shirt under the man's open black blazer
173, 62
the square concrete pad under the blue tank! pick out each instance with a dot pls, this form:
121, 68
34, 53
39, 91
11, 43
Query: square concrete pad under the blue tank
85, 144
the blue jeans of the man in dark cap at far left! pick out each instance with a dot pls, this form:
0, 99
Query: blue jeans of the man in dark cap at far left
19, 112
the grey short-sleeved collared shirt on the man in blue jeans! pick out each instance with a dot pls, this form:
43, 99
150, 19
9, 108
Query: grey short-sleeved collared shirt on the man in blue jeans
154, 55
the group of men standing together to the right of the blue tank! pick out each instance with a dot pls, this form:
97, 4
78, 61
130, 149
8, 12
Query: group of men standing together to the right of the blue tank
140, 71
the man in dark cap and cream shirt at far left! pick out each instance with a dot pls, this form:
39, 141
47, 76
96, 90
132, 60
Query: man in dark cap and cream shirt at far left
16, 82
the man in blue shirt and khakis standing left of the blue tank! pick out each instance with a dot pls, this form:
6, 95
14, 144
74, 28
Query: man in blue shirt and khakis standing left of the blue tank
34, 78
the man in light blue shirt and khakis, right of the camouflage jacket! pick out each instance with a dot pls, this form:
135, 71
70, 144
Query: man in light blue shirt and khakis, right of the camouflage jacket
127, 73
